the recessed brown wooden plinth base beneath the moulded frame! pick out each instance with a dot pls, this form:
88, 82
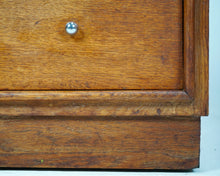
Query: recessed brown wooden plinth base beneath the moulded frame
96, 142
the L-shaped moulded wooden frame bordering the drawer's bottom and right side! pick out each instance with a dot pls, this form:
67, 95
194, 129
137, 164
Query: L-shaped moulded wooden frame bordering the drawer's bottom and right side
192, 101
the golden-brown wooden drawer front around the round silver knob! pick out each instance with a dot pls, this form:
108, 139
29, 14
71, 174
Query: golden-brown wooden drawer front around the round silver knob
120, 44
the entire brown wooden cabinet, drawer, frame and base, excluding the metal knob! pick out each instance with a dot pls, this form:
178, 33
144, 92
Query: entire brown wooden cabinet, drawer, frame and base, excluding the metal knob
84, 129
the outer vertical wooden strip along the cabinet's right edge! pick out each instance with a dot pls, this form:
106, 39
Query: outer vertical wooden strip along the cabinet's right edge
202, 57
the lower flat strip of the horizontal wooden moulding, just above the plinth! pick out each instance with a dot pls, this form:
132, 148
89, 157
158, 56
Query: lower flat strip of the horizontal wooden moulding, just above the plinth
82, 109
